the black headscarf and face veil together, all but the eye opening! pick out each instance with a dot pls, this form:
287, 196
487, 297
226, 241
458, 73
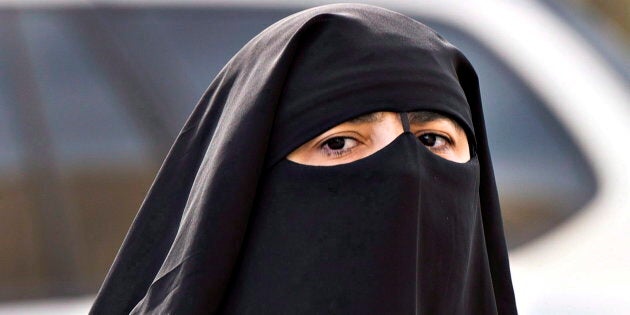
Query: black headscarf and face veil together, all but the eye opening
230, 226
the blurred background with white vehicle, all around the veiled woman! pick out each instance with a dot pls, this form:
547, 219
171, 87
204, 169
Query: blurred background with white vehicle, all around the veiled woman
93, 93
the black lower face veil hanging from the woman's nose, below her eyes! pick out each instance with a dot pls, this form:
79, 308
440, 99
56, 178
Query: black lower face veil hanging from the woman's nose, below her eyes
386, 235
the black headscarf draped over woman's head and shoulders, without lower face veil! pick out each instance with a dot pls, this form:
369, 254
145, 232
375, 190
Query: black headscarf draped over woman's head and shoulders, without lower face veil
301, 76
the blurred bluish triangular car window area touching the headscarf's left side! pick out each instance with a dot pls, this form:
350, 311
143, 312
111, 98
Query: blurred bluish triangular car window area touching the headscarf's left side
182, 50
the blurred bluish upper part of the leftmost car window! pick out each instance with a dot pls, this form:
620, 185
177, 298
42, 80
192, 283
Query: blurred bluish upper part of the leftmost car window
87, 118
